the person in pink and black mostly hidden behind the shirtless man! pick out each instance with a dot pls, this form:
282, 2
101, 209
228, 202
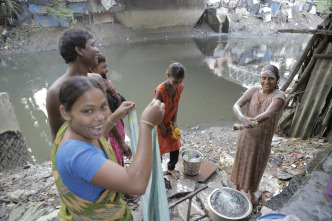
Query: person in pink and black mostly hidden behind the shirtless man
116, 138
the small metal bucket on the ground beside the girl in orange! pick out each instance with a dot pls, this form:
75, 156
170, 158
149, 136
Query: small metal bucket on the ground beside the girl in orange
191, 160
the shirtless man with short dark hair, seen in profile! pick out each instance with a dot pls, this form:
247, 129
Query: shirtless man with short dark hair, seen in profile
77, 47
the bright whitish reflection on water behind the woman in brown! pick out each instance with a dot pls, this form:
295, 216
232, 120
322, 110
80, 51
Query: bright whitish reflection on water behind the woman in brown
241, 60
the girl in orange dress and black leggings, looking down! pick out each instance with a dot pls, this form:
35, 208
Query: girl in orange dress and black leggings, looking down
169, 92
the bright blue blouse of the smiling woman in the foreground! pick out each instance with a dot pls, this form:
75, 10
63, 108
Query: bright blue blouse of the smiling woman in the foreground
77, 162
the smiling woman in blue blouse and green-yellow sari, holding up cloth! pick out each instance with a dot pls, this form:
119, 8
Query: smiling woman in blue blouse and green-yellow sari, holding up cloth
88, 178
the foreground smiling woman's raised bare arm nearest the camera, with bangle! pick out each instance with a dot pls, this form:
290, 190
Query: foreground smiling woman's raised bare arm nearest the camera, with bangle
134, 179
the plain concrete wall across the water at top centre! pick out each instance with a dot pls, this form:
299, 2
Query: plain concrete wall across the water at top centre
160, 14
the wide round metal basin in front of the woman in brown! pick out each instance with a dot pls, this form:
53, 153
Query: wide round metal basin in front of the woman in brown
228, 204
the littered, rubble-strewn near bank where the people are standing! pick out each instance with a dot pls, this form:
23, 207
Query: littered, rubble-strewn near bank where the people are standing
29, 193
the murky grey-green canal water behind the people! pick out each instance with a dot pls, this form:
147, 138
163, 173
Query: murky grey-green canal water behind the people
218, 71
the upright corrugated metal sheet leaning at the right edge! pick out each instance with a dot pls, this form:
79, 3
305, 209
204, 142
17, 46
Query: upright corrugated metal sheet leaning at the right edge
311, 111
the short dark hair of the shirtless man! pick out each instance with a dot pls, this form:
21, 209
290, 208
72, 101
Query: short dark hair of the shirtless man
69, 40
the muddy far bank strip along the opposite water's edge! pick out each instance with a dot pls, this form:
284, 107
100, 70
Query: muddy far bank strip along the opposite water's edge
31, 38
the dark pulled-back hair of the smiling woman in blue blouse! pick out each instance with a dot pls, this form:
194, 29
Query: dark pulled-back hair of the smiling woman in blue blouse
74, 88
